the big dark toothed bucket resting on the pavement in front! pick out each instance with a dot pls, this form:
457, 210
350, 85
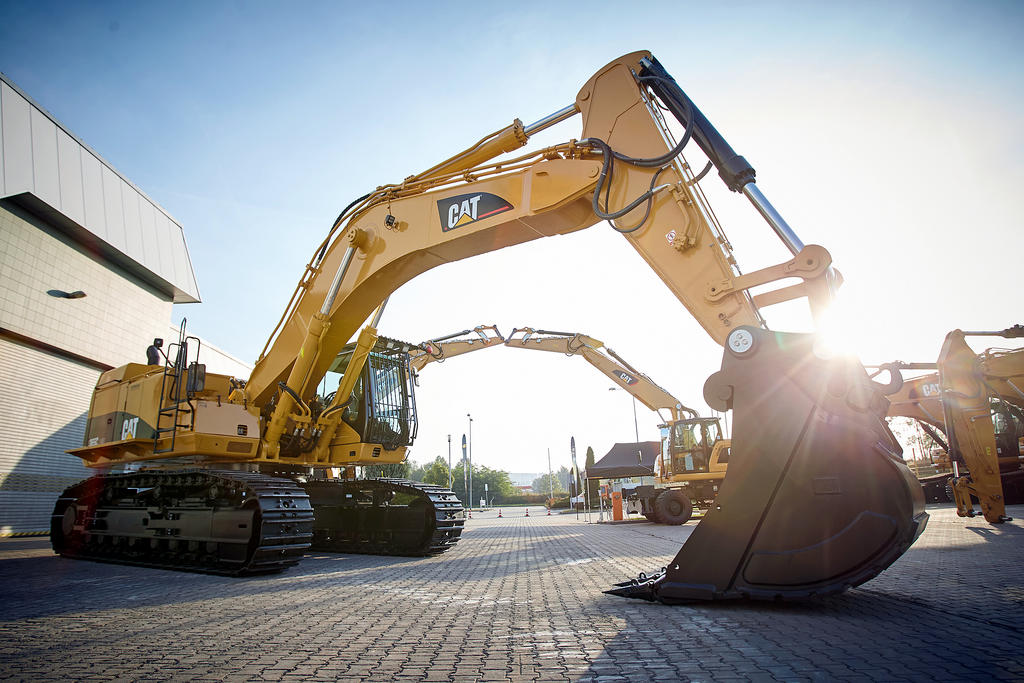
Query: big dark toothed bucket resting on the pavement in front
818, 498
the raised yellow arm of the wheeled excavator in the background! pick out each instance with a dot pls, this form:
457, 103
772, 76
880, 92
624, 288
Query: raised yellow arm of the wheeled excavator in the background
605, 360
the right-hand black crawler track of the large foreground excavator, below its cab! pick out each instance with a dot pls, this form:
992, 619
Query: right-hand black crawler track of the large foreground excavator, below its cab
385, 518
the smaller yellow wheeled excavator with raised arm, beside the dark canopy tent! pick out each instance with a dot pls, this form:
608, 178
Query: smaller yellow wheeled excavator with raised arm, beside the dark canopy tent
695, 454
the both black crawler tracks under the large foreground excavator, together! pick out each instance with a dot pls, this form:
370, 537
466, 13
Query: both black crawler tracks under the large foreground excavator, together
237, 524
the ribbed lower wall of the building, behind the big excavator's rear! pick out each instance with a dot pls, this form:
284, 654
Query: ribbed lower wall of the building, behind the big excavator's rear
44, 400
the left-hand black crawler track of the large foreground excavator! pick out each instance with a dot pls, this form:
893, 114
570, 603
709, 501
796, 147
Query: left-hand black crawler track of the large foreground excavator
224, 523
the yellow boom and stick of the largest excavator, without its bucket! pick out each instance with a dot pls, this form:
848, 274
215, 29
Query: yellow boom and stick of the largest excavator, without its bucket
465, 206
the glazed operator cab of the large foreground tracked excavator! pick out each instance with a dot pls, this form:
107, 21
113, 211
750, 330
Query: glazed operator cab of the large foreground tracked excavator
382, 406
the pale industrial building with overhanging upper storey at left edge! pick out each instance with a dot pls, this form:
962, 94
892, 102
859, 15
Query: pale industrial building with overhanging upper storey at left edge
90, 271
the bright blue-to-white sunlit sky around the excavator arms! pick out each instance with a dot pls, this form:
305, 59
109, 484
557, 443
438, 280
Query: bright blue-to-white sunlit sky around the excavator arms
887, 133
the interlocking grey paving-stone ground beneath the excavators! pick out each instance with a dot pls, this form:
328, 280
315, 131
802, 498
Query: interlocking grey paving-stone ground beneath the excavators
518, 600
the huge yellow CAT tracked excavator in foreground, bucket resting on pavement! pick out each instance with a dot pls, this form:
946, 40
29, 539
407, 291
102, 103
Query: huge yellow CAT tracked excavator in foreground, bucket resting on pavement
212, 474
